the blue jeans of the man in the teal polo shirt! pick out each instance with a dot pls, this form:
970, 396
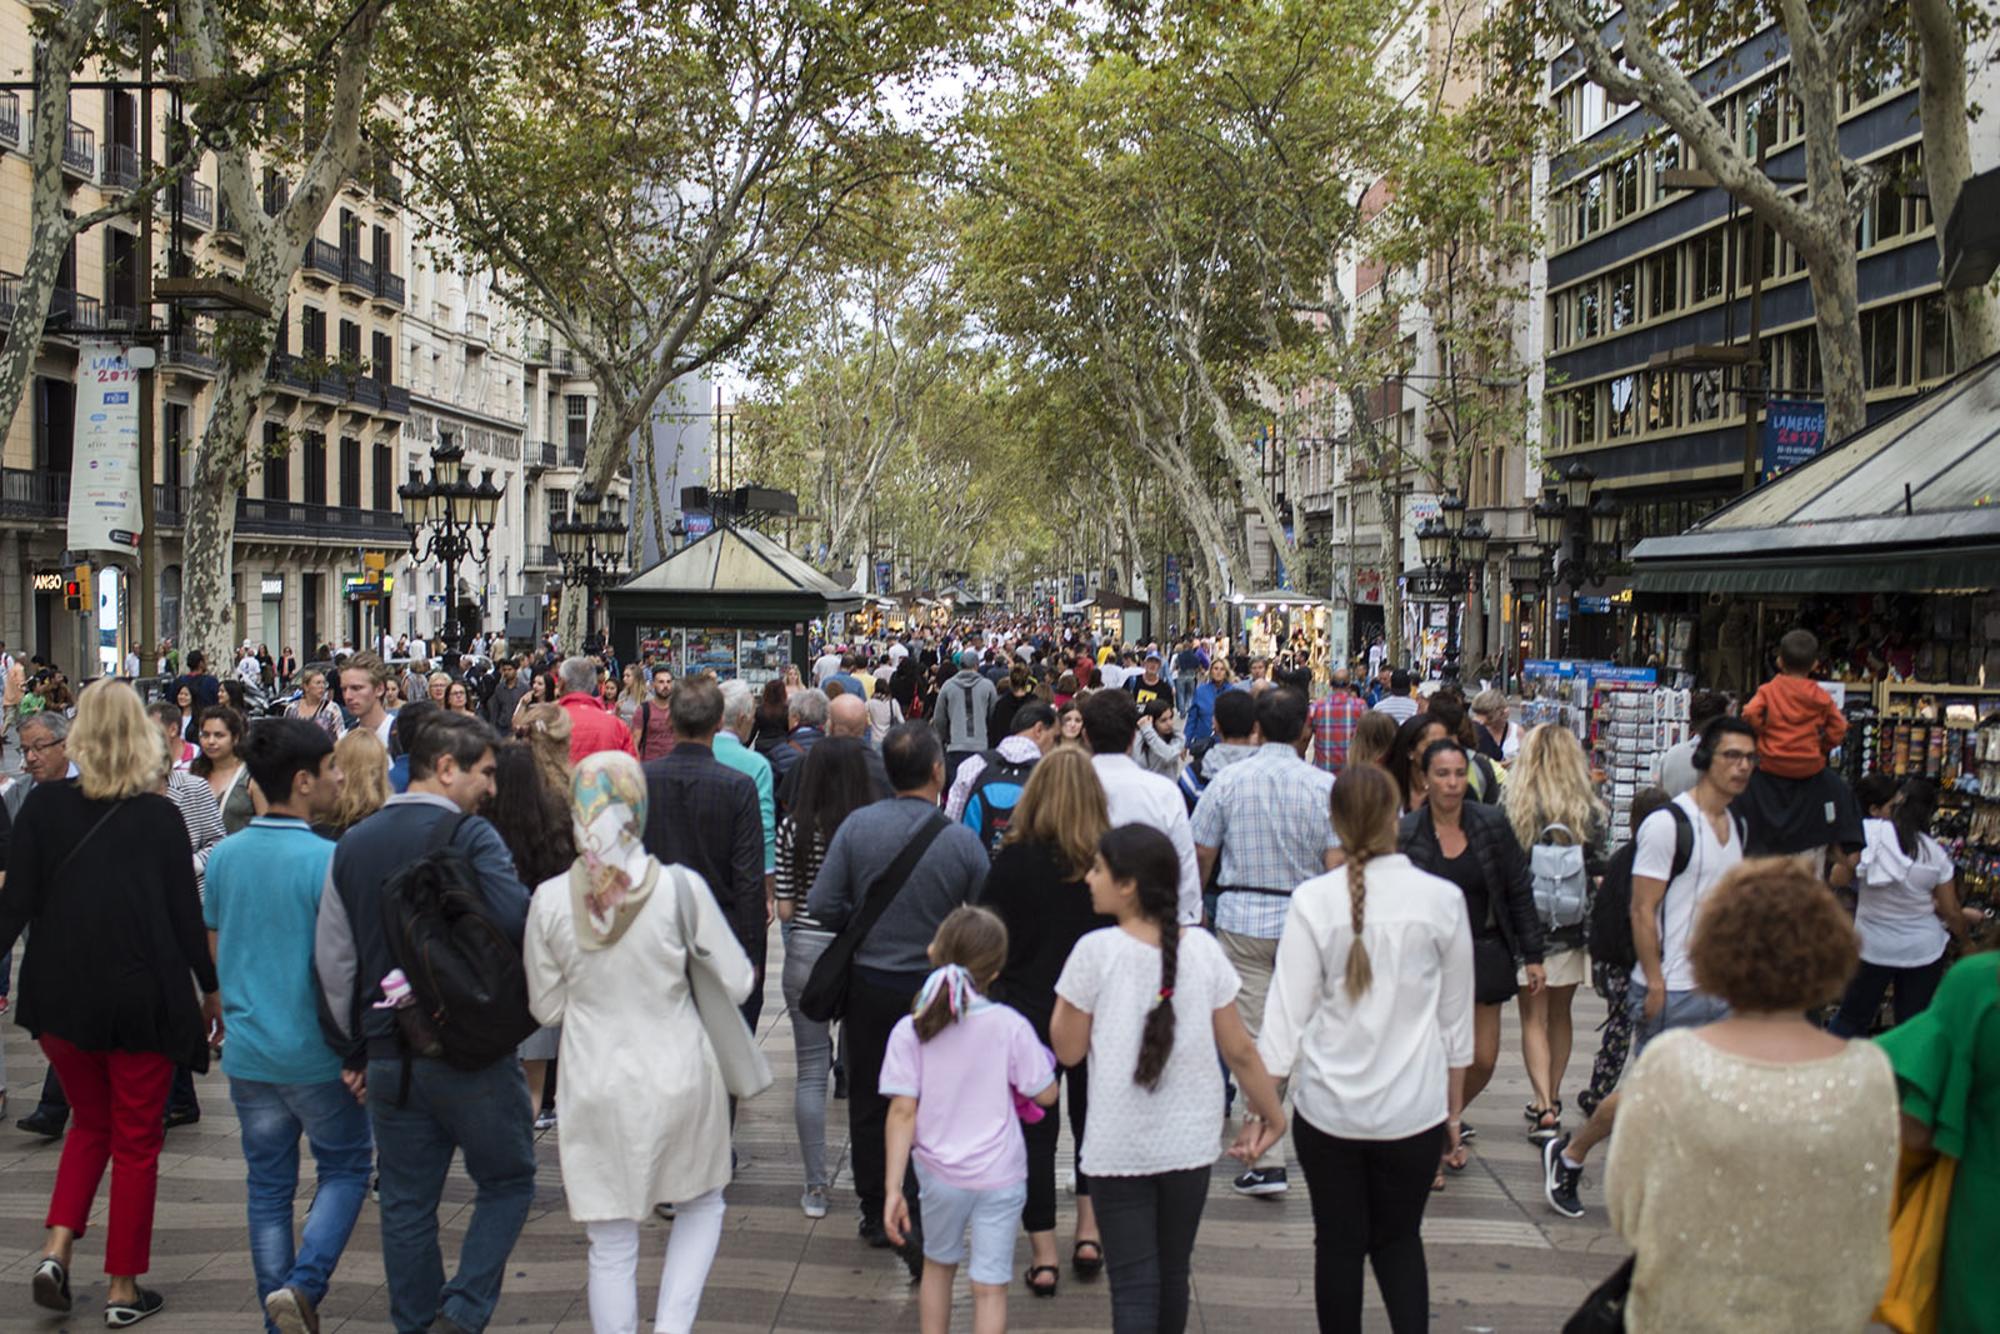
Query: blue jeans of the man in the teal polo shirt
343, 1153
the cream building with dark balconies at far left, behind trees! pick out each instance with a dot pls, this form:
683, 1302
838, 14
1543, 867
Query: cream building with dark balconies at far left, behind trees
331, 425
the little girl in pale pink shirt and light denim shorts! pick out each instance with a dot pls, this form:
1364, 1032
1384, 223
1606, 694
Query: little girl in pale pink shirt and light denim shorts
953, 1073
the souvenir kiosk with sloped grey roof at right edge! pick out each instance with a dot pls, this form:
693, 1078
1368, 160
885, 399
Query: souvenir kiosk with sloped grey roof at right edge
1889, 551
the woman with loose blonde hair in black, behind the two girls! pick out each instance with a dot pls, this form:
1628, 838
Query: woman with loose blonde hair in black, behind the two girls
1037, 887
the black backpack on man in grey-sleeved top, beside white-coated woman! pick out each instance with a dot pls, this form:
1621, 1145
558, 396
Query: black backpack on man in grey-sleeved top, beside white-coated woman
467, 975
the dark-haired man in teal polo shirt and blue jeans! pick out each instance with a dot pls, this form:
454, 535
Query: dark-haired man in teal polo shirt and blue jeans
261, 907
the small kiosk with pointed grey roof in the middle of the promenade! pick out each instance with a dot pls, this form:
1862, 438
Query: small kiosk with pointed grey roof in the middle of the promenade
735, 603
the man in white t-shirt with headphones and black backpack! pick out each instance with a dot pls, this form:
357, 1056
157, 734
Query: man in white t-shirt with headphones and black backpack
1683, 853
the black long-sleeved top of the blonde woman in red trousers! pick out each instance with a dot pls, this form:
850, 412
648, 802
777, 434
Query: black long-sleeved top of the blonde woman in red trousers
117, 929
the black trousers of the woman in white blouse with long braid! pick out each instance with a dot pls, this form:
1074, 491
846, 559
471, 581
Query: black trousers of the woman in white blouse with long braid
1369, 1203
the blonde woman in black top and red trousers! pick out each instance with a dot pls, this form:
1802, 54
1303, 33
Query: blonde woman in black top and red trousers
103, 879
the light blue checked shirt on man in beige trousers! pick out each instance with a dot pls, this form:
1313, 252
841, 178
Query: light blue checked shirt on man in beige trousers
1269, 819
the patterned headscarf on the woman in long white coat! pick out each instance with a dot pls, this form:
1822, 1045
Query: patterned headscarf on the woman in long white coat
609, 811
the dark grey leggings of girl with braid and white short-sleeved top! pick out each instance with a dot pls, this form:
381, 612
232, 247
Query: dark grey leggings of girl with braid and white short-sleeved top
1149, 1229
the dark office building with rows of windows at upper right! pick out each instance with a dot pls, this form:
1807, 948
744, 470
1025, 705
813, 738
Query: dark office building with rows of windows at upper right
1639, 269
